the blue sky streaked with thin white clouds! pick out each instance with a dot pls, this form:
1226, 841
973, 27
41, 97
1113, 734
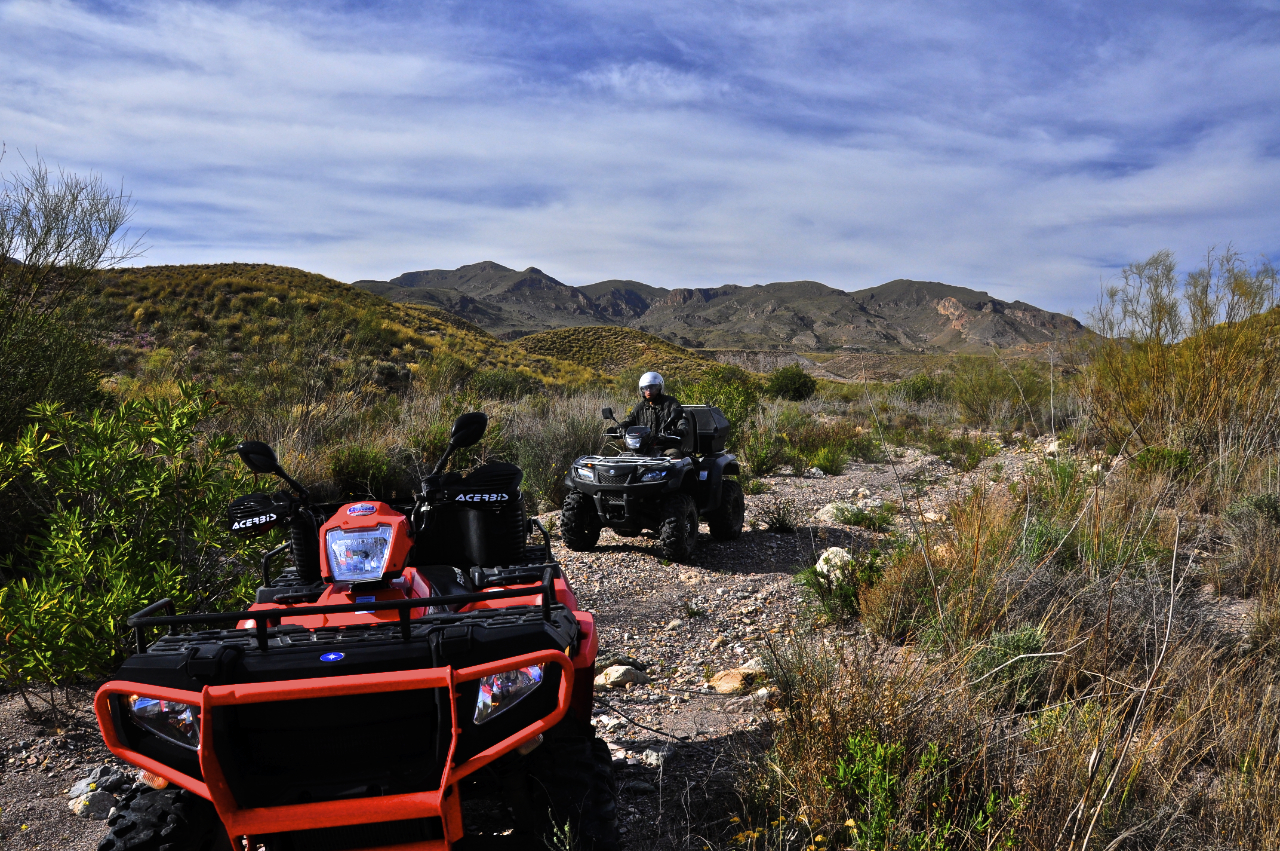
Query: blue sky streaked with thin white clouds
1026, 149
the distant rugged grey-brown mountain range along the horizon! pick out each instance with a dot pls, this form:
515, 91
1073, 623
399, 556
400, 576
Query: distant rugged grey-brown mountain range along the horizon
806, 315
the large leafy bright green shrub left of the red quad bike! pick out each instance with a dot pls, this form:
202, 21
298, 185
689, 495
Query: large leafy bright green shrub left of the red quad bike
132, 510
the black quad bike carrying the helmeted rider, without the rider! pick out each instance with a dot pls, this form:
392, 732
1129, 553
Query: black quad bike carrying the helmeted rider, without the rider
644, 489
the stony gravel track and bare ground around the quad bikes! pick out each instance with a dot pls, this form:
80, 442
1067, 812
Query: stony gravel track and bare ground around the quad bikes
676, 739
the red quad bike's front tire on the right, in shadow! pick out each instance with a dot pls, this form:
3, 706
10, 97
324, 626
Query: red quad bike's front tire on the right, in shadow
570, 790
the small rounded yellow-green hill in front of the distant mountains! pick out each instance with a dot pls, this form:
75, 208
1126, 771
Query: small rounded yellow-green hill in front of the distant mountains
614, 351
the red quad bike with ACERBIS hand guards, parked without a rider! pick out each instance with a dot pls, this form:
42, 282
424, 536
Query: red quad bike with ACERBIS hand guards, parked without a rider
413, 657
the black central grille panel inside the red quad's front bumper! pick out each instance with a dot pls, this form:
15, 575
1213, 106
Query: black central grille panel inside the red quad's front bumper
331, 749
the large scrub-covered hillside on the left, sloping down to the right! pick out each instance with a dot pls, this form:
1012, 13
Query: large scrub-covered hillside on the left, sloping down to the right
234, 312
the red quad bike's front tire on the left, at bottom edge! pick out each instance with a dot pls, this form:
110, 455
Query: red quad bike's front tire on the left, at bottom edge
168, 820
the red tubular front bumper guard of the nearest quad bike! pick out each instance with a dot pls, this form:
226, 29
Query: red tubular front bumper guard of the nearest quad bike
444, 803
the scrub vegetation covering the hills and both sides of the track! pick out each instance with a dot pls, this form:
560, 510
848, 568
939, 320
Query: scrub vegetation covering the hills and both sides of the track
1082, 656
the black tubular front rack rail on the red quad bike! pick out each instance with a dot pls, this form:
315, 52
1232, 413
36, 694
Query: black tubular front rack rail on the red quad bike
268, 619
